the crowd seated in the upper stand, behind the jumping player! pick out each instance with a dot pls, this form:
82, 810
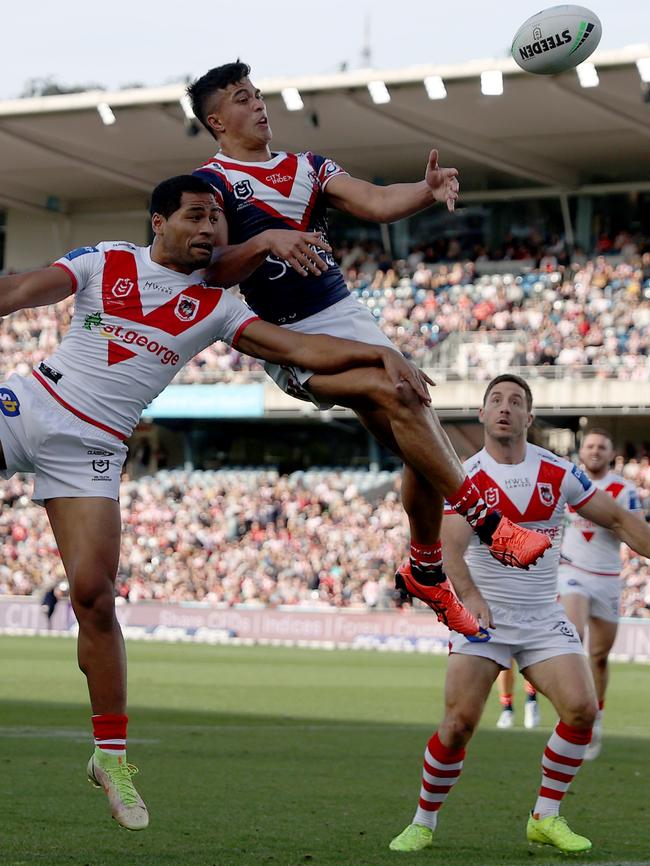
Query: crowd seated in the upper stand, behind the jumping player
588, 313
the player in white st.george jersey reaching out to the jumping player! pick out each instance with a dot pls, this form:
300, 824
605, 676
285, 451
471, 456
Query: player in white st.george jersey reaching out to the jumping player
140, 314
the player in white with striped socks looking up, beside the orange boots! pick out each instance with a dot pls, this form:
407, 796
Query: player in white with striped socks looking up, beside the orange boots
532, 486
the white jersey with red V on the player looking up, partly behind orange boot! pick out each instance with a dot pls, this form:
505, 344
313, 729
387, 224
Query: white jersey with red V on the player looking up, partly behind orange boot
532, 493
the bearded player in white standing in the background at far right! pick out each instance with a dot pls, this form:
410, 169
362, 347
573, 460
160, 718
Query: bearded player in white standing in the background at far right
590, 568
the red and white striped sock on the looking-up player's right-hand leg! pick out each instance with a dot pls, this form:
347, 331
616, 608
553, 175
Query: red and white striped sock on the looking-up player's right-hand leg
561, 760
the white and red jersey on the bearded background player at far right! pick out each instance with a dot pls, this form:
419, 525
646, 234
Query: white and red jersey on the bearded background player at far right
593, 548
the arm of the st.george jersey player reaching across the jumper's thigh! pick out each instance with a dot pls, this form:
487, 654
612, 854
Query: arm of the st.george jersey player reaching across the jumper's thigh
329, 355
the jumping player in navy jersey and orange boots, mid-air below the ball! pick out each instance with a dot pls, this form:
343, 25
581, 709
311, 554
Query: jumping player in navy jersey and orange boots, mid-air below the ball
274, 244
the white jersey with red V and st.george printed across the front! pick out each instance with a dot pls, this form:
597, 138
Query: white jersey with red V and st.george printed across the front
135, 324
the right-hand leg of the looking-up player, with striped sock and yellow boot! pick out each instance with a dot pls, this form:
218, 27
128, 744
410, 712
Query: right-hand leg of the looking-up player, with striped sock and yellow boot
567, 682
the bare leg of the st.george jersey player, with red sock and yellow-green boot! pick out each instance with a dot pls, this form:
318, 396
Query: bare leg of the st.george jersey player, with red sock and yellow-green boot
87, 531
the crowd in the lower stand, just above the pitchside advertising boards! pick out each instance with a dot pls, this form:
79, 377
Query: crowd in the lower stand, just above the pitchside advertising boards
254, 538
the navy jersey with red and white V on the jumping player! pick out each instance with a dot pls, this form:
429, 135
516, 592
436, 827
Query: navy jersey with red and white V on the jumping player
285, 192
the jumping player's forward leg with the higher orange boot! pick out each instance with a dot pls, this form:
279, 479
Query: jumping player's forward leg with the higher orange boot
426, 448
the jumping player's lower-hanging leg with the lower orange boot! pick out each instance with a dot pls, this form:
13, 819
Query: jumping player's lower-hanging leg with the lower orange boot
422, 574
